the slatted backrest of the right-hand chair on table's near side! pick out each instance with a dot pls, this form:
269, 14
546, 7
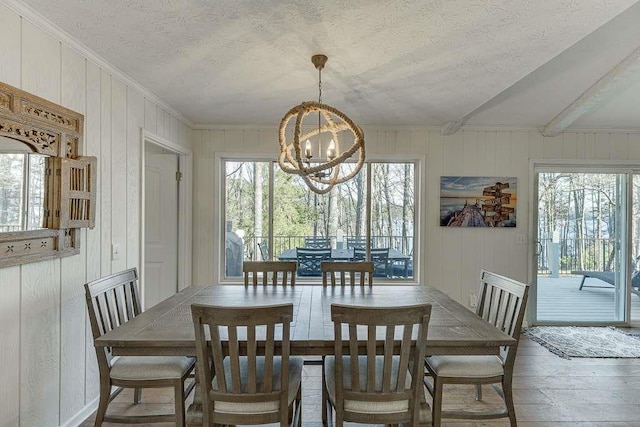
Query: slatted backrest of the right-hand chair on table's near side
387, 355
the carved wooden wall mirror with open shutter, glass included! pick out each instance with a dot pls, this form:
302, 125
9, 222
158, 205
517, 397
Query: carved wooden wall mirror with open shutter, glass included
47, 189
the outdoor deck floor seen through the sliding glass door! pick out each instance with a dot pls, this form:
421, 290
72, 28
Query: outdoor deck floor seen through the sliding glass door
559, 299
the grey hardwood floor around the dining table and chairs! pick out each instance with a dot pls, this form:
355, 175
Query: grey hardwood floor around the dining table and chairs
548, 391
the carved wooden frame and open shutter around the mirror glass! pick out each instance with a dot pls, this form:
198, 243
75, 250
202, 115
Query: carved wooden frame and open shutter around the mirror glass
70, 180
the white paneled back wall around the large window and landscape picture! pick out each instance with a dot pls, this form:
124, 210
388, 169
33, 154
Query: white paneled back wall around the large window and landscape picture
451, 258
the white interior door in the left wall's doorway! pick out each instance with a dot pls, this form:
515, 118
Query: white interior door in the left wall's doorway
161, 227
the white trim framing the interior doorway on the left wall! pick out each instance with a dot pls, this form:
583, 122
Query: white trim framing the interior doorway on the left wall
185, 165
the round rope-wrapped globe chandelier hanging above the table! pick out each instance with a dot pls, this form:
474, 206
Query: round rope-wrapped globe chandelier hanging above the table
320, 173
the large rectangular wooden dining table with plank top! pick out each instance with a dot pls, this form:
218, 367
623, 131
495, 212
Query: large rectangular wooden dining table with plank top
167, 328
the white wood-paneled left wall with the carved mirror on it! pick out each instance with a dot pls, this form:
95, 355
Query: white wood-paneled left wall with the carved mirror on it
48, 370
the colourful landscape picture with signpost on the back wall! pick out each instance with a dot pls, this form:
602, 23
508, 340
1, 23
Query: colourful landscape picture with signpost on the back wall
478, 201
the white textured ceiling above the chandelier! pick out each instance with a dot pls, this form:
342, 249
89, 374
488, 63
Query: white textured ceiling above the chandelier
405, 62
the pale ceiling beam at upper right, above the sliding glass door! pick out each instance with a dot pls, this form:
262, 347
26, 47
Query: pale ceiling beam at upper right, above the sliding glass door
600, 91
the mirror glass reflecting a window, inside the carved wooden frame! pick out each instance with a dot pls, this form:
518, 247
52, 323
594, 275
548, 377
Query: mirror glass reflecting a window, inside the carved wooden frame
22, 187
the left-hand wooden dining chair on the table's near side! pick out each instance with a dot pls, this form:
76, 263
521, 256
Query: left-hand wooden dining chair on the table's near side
249, 388
